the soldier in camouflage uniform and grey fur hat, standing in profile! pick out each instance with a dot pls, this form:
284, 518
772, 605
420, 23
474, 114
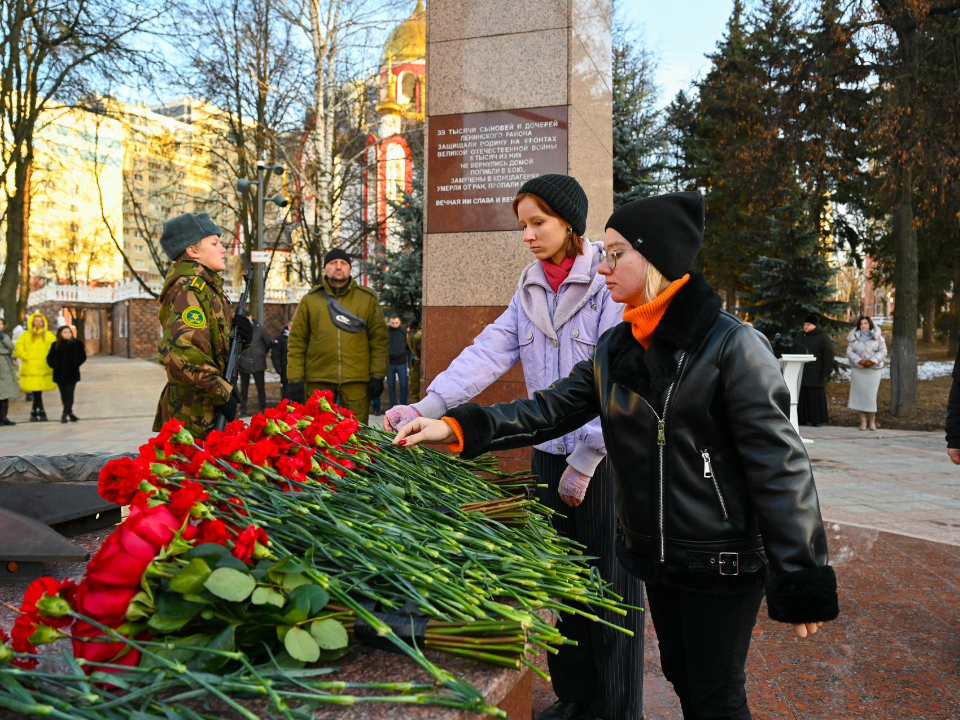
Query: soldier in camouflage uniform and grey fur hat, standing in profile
195, 320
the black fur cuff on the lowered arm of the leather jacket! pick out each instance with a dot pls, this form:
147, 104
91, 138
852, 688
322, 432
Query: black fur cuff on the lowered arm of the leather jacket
808, 595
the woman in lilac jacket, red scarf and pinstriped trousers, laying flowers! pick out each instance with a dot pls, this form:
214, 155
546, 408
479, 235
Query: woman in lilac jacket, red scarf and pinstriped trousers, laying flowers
560, 309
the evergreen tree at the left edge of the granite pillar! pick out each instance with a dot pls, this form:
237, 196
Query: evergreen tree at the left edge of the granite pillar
397, 275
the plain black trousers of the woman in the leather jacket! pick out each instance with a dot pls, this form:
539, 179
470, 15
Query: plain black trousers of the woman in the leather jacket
703, 642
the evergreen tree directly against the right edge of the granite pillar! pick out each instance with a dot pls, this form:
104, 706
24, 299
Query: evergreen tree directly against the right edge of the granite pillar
639, 139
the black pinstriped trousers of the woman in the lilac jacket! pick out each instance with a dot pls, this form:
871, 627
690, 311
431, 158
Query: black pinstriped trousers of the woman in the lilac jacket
605, 669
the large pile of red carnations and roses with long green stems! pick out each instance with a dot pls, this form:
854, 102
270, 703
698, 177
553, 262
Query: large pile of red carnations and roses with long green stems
273, 545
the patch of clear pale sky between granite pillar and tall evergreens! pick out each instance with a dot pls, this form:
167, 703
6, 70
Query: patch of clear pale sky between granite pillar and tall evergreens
680, 35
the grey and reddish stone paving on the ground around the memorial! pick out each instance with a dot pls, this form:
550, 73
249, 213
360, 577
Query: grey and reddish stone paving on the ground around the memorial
891, 500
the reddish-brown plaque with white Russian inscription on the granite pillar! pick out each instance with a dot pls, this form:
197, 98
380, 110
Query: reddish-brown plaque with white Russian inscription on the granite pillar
478, 161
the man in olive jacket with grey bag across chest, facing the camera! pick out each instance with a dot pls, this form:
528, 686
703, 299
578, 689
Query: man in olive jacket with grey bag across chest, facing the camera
343, 352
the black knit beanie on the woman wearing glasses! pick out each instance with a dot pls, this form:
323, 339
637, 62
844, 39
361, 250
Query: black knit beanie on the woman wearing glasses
666, 229
